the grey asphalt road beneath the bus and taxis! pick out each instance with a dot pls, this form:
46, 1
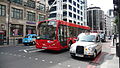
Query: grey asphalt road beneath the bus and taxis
30, 57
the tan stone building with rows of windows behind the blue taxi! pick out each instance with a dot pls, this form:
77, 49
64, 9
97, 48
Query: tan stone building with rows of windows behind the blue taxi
19, 17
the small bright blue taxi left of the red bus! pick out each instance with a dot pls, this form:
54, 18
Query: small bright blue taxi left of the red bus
29, 39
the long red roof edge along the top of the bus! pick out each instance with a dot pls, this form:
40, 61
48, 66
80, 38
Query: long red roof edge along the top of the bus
68, 24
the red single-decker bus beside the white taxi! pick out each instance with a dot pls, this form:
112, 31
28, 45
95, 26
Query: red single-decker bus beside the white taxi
57, 34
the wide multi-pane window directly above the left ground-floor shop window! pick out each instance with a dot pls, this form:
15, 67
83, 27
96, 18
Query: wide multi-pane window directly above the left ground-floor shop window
17, 13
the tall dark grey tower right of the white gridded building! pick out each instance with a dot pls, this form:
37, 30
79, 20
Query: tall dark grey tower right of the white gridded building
95, 18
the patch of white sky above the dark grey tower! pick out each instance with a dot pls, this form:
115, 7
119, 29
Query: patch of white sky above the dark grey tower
103, 4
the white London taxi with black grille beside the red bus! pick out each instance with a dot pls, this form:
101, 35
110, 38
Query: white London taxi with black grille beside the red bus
87, 45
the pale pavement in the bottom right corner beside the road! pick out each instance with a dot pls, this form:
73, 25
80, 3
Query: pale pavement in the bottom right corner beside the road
114, 62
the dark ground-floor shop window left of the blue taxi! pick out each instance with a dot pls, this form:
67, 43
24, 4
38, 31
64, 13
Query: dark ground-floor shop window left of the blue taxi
16, 30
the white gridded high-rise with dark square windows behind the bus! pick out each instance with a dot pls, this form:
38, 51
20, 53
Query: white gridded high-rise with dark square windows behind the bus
73, 11
